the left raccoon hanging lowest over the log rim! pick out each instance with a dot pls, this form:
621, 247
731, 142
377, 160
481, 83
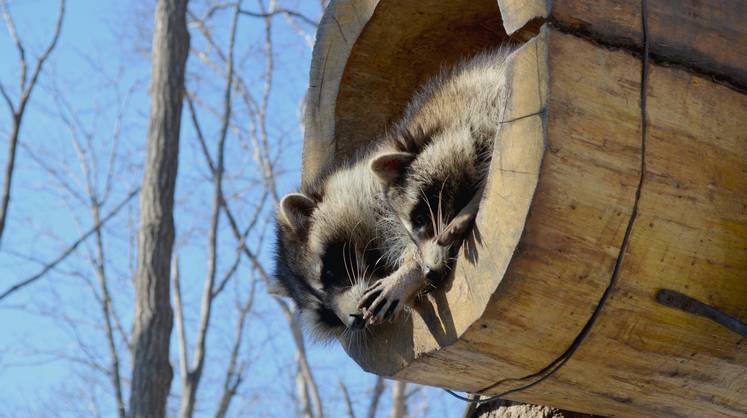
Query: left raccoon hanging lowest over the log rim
336, 239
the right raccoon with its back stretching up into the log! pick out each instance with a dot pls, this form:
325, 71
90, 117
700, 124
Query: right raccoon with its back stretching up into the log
436, 193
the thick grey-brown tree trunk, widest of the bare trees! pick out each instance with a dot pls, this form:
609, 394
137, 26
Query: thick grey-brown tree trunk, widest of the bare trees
152, 373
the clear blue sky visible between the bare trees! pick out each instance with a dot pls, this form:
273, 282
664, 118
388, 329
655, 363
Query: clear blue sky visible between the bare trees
99, 74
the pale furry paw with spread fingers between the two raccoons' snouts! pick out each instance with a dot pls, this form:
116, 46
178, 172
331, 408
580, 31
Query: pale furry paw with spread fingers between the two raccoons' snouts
385, 299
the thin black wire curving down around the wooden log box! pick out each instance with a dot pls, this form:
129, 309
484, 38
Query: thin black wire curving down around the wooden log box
556, 364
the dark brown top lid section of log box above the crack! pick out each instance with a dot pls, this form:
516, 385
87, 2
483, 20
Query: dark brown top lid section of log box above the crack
707, 36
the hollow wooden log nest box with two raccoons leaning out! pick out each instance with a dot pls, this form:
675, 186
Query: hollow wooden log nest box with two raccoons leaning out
570, 208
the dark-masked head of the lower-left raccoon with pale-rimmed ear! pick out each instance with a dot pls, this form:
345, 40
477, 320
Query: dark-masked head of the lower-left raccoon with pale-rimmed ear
322, 266
